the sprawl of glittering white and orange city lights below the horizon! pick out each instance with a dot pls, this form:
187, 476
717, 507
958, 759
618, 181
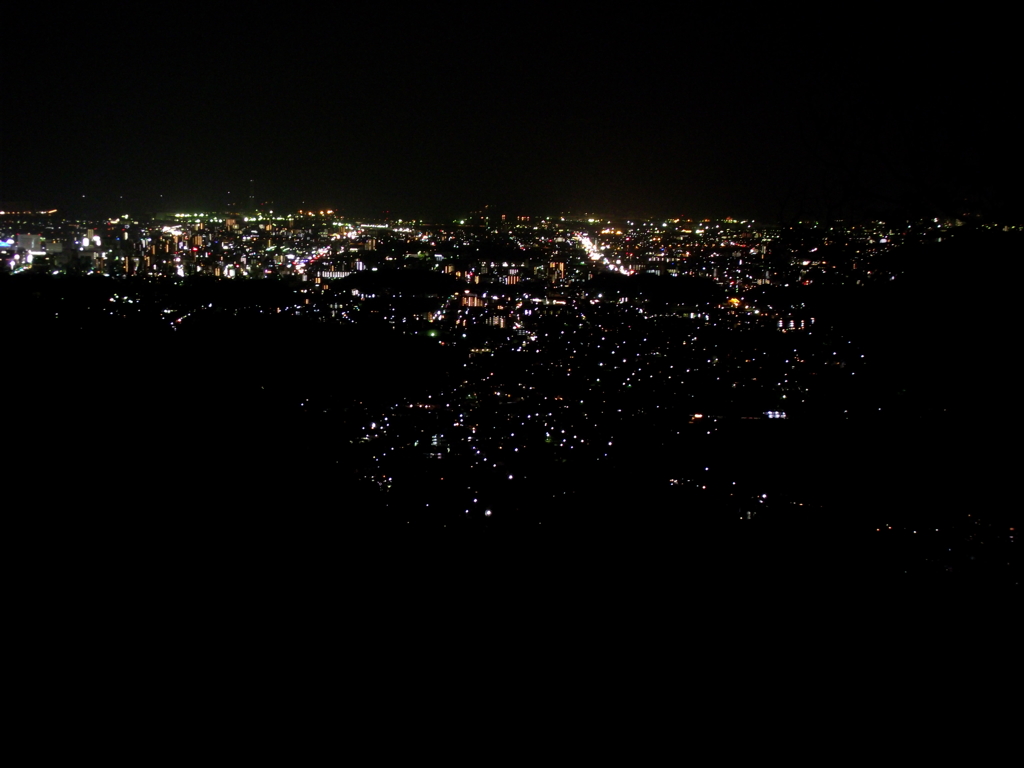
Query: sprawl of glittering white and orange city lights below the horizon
561, 345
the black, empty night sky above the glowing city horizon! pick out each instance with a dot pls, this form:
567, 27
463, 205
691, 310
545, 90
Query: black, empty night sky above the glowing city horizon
686, 115
